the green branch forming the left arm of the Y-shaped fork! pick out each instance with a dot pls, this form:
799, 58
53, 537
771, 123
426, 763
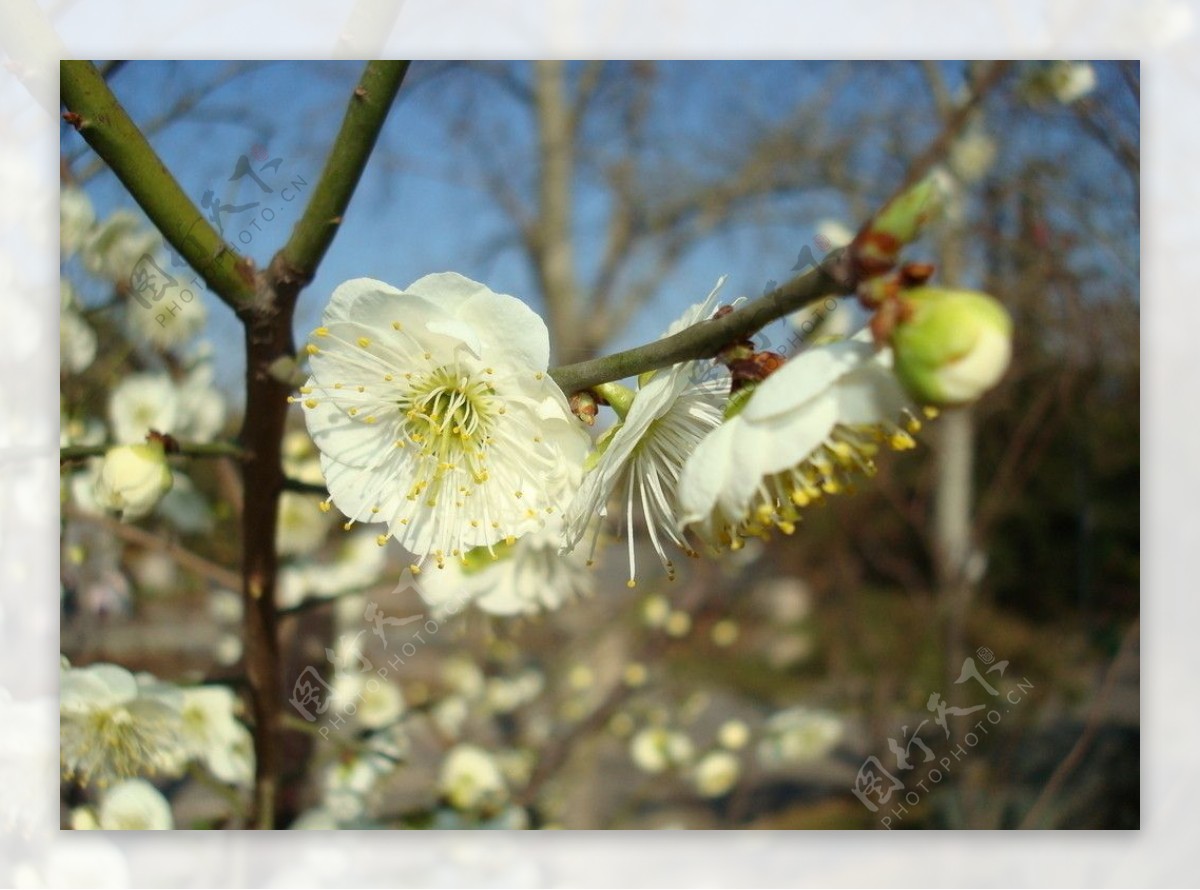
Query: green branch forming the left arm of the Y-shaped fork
101, 121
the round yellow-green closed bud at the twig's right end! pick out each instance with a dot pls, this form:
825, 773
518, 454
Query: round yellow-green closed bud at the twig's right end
951, 346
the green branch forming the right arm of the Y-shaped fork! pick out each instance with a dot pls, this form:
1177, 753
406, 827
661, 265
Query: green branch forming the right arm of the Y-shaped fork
361, 129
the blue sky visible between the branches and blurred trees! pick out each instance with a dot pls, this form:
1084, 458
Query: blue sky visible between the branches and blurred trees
421, 207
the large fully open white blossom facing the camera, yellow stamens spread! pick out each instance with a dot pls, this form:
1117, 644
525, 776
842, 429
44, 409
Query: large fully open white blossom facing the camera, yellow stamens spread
435, 416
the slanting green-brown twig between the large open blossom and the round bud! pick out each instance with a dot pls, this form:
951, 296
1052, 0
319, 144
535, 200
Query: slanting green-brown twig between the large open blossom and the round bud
706, 340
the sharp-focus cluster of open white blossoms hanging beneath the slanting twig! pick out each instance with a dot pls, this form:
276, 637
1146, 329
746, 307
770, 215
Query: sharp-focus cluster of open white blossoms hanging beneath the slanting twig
436, 418
